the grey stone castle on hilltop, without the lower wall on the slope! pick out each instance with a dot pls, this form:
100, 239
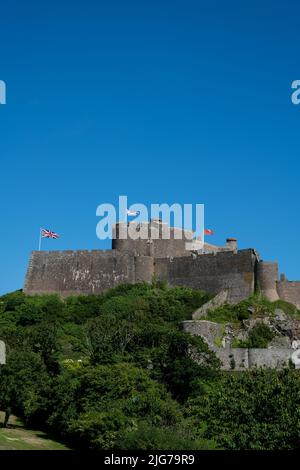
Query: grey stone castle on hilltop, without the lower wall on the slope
209, 268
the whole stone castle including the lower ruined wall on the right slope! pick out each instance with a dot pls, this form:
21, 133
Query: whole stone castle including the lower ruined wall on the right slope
232, 274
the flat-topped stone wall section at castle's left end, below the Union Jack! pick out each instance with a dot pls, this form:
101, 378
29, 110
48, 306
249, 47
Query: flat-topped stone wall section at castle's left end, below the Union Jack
78, 272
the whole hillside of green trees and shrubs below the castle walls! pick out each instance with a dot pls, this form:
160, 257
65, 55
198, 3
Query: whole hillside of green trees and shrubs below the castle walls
116, 371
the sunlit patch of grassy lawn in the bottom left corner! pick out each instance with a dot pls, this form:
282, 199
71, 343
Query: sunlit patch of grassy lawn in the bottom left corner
16, 437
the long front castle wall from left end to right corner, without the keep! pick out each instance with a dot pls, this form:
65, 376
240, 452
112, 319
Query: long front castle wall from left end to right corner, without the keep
92, 272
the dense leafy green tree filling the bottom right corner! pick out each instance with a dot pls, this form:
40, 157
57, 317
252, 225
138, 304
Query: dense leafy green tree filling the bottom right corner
251, 410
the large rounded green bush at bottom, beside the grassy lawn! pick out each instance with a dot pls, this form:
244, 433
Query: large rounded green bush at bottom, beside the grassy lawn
107, 401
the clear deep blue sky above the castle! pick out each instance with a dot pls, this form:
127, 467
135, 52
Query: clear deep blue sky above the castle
164, 101
